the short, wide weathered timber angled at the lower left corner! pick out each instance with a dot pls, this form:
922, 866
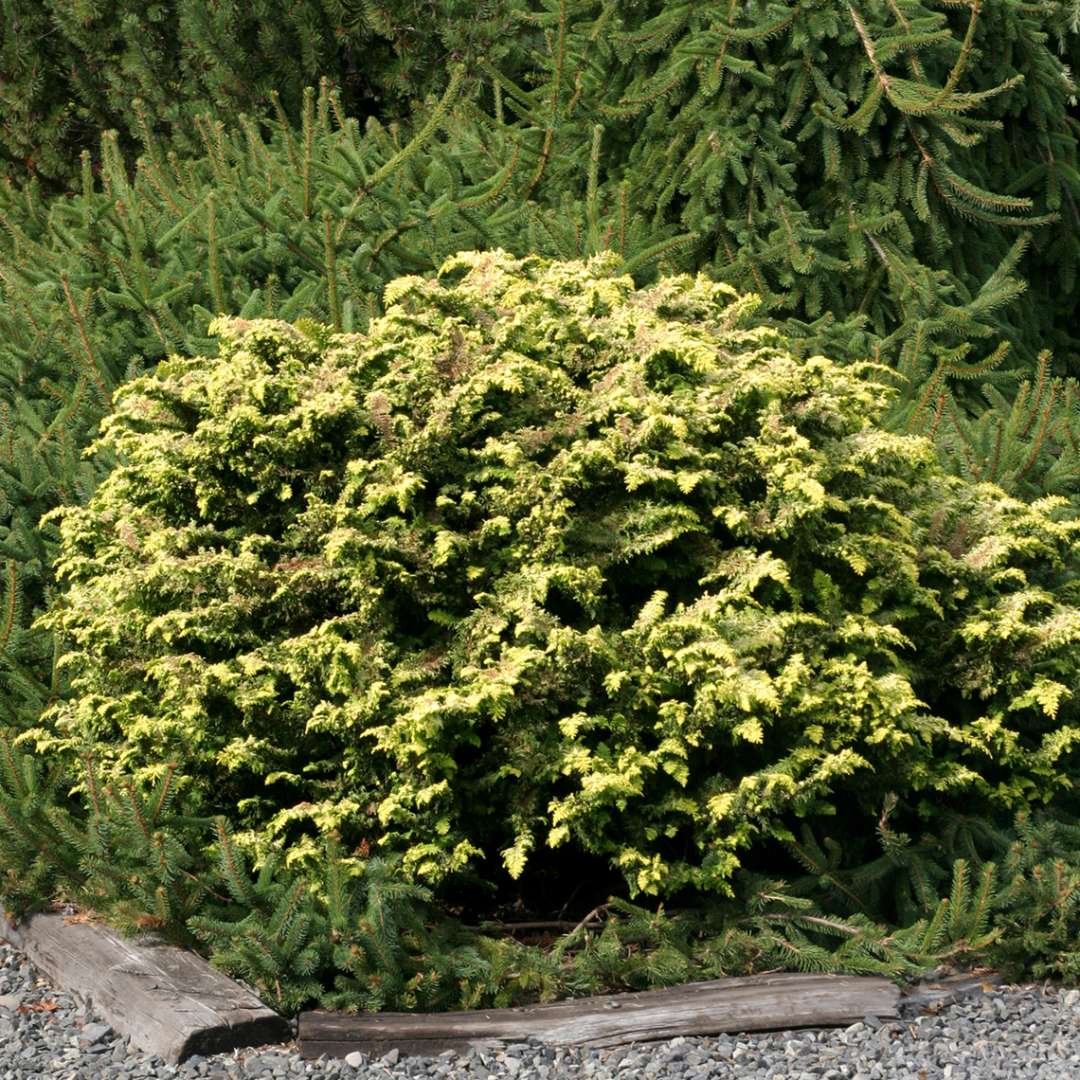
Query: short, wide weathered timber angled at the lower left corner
169, 1002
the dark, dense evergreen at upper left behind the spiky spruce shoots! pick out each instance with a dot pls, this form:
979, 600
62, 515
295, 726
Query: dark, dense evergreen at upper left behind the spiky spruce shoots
71, 70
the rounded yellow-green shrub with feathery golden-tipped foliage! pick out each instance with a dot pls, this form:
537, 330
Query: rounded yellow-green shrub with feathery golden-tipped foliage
545, 560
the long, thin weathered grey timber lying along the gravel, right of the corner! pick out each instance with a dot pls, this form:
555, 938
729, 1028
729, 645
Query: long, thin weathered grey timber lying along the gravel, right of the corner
755, 1004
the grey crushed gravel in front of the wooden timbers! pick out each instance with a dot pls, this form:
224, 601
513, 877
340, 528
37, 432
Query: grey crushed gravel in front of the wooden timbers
1012, 1034
